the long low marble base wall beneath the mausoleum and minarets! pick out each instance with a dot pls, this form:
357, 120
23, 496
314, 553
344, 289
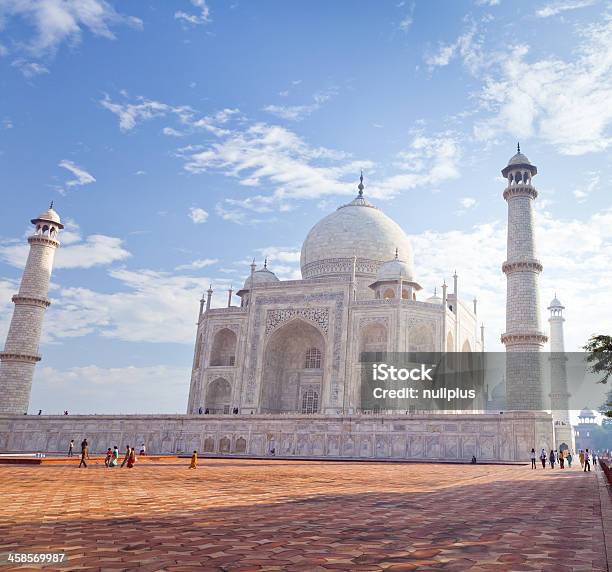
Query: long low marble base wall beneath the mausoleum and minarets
505, 437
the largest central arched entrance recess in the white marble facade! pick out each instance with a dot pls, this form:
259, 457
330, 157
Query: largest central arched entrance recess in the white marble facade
294, 361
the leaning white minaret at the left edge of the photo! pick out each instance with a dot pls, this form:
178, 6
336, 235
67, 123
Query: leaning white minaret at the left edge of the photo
20, 353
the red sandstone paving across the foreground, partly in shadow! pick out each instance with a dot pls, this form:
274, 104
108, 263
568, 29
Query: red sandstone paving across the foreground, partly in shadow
248, 515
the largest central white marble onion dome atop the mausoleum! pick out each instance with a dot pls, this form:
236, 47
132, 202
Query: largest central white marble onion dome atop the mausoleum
357, 229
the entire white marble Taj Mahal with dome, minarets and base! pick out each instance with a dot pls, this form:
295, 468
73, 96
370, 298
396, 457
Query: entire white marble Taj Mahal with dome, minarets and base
279, 369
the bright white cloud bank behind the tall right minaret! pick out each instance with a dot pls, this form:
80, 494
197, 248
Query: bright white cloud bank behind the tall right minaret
575, 254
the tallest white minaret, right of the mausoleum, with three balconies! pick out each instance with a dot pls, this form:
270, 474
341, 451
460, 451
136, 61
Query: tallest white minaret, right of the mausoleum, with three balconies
522, 269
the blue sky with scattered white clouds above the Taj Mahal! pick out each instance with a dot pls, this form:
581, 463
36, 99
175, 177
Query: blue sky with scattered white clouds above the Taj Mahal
181, 139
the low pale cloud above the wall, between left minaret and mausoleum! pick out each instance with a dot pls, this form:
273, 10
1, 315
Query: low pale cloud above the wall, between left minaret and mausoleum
116, 390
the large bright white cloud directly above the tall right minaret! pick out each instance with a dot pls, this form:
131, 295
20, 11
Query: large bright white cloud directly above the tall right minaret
565, 103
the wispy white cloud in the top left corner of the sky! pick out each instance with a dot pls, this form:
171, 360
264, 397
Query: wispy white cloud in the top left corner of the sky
55, 22
